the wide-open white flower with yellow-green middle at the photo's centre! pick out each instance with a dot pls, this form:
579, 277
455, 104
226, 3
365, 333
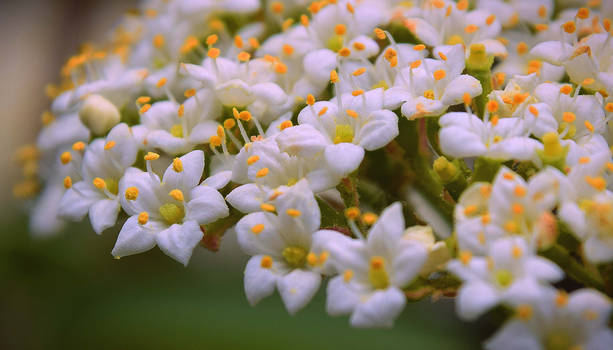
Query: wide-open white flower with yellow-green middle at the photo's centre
342, 136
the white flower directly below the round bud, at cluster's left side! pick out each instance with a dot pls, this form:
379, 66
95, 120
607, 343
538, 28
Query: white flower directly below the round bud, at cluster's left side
104, 163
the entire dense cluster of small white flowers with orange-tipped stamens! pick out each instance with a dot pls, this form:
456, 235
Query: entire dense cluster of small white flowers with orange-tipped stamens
483, 124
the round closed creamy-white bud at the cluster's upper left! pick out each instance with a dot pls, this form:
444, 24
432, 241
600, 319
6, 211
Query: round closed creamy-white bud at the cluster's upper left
98, 114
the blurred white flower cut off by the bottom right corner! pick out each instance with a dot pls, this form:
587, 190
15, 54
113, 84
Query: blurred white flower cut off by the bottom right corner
558, 321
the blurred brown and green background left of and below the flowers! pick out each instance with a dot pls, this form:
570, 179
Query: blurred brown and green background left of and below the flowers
68, 292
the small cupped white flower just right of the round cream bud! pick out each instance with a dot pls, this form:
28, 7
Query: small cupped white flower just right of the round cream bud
178, 129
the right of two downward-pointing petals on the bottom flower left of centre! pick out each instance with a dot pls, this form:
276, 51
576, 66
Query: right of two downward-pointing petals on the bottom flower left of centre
297, 288
